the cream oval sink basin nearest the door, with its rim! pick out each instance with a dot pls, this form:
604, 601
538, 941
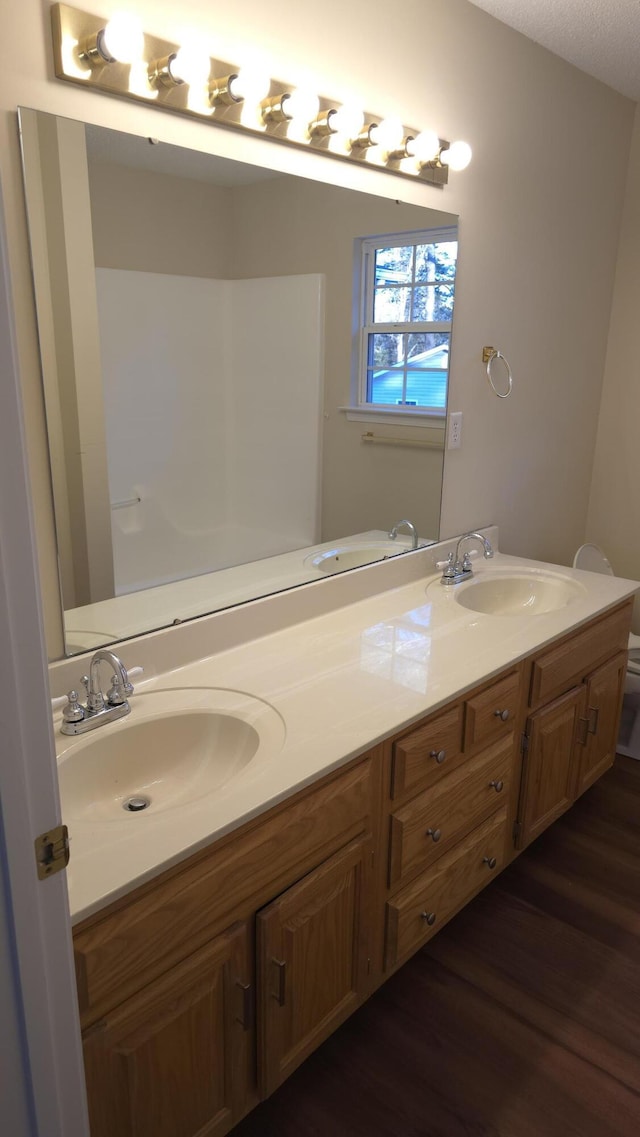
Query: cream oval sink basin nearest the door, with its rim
174, 749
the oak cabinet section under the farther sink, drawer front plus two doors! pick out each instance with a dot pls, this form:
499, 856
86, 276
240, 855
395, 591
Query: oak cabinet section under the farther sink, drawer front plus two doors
571, 740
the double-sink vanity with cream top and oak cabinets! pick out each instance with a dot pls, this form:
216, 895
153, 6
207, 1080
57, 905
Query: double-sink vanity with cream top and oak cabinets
319, 801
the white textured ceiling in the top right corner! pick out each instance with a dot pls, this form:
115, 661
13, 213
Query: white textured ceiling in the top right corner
601, 37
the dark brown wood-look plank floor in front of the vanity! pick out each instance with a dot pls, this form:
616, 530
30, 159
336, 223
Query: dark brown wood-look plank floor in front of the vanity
520, 1019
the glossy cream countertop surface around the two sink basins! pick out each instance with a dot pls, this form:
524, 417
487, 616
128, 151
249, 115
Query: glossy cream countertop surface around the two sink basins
340, 684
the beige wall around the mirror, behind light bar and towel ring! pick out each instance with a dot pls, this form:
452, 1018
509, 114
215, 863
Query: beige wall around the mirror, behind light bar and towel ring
539, 209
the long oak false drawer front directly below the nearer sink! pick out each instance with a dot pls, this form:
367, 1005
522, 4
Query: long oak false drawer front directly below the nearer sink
170, 919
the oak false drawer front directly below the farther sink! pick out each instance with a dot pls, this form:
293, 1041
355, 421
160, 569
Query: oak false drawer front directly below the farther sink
559, 669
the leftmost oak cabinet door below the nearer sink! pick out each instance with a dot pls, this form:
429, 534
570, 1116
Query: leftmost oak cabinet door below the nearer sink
173, 1061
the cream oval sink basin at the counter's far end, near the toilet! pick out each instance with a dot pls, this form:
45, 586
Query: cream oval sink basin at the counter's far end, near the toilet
512, 593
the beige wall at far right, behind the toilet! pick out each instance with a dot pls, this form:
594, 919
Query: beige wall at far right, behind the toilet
614, 507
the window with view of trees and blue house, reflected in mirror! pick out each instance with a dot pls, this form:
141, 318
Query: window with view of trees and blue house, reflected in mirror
408, 308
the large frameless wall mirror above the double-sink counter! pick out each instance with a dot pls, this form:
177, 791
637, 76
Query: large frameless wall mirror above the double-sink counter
198, 322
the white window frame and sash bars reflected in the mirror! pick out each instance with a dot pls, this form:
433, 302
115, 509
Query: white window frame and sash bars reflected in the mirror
362, 409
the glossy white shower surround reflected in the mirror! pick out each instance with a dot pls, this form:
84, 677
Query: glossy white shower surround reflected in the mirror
213, 397
